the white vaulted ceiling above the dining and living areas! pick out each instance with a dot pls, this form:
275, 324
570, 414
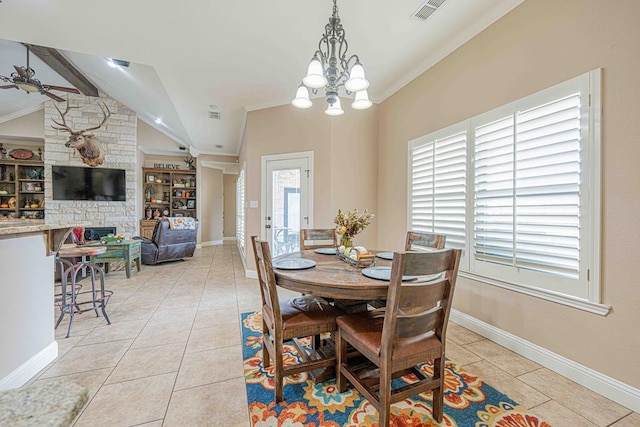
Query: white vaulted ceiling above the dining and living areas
200, 56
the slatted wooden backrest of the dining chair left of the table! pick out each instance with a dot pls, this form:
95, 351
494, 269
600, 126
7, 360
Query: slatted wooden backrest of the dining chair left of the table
267, 281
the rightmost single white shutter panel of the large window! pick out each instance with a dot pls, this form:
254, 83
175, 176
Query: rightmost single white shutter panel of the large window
547, 193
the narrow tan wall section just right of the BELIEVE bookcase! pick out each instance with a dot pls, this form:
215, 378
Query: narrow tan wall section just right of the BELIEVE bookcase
211, 207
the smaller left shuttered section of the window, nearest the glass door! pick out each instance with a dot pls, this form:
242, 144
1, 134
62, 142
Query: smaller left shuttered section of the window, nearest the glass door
438, 186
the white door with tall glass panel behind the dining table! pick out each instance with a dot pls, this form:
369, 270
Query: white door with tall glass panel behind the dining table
286, 200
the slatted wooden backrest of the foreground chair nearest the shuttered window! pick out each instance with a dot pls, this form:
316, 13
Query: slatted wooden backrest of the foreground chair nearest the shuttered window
415, 308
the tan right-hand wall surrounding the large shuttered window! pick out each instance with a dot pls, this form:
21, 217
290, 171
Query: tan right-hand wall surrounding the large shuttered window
538, 44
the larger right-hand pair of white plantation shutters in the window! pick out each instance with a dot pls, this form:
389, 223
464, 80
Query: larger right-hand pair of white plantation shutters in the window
527, 188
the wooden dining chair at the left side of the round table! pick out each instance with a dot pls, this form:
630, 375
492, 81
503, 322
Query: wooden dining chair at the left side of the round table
283, 321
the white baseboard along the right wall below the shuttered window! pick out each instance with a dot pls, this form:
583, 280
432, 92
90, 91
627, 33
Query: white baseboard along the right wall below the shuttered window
608, 387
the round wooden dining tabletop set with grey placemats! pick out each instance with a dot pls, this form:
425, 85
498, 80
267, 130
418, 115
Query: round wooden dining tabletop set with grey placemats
331, 278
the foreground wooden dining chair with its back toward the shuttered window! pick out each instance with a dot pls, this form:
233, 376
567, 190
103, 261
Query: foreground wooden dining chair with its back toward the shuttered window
410, 330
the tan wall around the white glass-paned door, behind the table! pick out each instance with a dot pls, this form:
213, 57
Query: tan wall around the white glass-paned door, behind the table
345, 150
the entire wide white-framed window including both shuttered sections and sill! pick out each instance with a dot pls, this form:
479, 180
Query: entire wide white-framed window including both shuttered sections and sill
518, 188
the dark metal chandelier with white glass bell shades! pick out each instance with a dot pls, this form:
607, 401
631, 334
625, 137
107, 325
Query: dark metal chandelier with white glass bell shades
330, 69
